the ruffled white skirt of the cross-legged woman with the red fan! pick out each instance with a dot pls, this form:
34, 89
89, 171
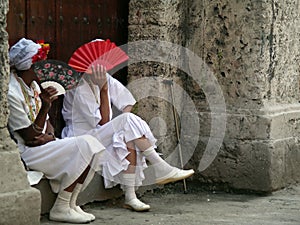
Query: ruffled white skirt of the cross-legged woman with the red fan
114, 135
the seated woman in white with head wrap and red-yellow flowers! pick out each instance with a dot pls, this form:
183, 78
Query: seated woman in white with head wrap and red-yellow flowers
68, 163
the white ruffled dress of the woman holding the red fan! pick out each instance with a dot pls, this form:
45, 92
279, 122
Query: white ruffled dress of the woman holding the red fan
82, 115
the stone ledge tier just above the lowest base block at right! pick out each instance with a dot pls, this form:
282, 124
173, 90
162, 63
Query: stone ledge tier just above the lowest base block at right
269, 123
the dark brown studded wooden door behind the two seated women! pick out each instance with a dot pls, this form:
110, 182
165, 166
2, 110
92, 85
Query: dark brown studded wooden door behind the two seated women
66, 25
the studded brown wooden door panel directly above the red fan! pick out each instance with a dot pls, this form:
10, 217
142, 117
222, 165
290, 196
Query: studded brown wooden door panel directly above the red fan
78, 25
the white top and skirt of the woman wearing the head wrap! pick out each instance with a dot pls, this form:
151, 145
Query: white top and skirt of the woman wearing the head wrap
62, 161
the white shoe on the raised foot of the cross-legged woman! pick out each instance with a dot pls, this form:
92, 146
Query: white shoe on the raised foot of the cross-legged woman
175, 175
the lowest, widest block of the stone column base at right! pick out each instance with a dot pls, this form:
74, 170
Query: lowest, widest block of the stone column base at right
260, 166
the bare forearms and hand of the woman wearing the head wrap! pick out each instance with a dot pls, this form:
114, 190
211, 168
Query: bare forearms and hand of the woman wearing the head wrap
34, 137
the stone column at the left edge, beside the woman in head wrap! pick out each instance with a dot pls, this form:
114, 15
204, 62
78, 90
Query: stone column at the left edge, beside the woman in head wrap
19, 203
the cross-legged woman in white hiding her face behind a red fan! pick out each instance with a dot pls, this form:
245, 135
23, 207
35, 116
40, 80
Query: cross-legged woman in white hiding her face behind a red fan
127, 138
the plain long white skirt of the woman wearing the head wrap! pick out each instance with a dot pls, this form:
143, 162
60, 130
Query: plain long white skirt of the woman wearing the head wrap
62, 161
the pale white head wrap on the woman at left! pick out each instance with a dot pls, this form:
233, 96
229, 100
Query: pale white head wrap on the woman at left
20, 54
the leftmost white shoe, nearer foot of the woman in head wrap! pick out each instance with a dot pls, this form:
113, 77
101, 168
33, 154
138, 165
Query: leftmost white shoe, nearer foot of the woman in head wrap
67, 215
